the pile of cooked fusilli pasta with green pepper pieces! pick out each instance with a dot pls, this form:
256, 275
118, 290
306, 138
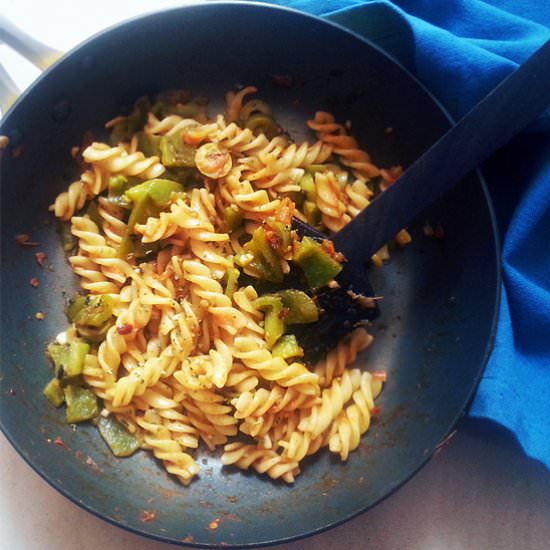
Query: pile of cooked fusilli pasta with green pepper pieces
174, 314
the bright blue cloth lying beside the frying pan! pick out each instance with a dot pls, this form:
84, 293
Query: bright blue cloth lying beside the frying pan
463, 49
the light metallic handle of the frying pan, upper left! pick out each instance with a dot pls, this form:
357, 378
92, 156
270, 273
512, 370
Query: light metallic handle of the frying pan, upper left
39, 54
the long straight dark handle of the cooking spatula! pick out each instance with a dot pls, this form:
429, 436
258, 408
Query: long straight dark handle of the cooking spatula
503, 113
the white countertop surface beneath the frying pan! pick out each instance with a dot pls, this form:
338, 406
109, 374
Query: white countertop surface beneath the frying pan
480, 491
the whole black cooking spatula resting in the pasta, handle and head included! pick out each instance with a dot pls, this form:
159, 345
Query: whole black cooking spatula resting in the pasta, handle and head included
504, 112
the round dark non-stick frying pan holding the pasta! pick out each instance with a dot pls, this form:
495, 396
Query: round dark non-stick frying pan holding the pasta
440, 295
